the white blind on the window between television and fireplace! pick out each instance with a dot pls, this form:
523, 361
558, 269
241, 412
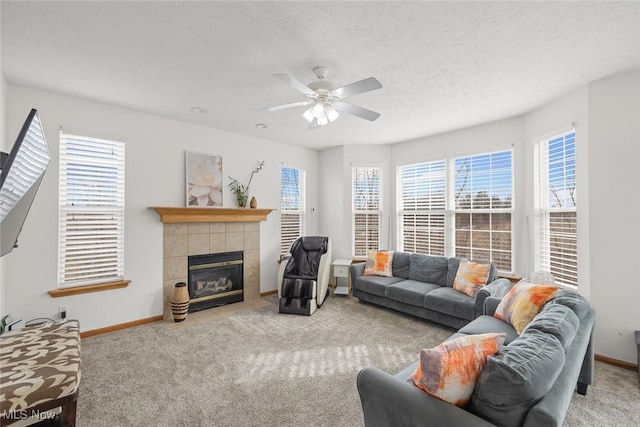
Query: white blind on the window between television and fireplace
91, 211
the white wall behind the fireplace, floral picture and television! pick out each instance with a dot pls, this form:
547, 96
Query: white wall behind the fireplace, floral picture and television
154, 177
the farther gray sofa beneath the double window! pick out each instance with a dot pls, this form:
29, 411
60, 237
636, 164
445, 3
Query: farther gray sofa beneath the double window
422, 286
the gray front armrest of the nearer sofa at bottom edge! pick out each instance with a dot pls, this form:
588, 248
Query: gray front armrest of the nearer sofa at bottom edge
391, 401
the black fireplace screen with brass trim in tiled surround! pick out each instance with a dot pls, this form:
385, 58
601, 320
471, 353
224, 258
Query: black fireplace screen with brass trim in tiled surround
215, 279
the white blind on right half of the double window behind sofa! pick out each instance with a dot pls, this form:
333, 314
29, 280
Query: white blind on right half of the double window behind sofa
482, 207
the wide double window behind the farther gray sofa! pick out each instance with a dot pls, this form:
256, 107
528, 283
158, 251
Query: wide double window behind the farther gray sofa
461, 207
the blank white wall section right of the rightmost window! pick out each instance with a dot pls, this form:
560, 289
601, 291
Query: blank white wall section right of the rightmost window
614, 213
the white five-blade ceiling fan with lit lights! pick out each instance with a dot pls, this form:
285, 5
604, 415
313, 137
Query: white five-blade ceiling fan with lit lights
326, 101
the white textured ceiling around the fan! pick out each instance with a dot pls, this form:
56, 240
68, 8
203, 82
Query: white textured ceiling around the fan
443, 65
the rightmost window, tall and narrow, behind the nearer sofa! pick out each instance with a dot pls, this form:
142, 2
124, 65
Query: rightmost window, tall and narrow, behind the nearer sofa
556, 232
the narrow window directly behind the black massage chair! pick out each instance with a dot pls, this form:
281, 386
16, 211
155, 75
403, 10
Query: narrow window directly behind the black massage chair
292, 206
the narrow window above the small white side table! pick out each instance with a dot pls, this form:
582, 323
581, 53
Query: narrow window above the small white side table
367, 209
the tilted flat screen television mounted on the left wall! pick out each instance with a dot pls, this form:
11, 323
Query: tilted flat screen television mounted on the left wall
22, 172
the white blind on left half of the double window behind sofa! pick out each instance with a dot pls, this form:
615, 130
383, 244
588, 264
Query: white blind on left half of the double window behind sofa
422, 208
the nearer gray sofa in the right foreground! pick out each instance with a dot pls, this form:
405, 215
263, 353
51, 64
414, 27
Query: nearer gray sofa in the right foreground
529, 382
